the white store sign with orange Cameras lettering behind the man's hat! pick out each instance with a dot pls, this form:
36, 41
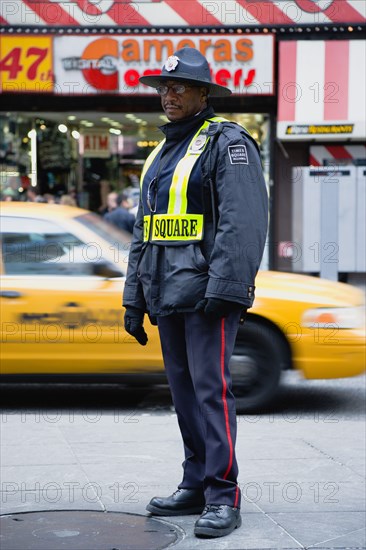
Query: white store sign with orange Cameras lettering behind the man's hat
88, 65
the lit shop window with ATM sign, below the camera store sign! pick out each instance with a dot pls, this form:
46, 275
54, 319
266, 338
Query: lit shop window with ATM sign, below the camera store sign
87, 155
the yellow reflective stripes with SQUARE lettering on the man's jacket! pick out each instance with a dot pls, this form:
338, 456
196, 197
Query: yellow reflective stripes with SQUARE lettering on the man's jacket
176, 224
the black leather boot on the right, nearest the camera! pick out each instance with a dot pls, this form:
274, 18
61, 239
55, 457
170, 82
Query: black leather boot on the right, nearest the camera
217, 521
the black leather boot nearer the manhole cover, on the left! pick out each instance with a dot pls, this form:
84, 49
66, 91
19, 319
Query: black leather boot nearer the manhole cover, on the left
181, 503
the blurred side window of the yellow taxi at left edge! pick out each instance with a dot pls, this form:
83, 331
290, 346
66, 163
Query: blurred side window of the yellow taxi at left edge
40, 247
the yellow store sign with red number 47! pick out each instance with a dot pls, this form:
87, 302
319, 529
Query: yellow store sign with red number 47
26, 64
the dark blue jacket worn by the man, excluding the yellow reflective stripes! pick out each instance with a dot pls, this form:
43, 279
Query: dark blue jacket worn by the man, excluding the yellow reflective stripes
163, 278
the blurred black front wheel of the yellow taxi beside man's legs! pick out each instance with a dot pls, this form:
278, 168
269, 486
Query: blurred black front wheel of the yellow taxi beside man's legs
256, 367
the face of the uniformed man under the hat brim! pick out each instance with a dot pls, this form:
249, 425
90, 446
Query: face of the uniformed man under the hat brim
179, 106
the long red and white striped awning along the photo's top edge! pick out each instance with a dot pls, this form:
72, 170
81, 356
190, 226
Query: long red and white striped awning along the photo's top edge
178, 13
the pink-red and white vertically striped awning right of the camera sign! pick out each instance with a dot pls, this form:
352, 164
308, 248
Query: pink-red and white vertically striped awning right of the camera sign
321, 90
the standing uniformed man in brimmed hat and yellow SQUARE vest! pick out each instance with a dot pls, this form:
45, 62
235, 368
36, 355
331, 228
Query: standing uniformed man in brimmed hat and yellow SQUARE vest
197, 245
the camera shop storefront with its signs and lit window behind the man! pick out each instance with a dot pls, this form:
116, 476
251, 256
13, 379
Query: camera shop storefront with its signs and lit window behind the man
94, 125
